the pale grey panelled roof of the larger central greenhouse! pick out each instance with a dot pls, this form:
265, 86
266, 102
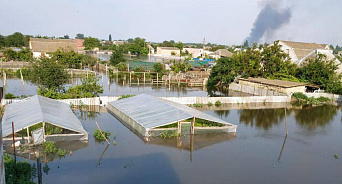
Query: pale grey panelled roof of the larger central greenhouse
152, 112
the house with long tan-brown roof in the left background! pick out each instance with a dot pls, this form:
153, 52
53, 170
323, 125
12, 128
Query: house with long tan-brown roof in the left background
43, 47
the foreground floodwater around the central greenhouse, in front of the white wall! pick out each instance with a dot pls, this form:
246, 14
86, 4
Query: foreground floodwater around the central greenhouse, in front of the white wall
259, 153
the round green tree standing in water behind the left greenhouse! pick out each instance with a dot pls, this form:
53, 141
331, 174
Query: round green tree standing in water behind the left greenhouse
50, 74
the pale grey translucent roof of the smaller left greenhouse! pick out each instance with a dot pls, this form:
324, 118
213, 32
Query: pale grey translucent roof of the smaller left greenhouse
37, 109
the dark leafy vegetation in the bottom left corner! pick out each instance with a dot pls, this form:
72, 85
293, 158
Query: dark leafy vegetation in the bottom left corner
20, 172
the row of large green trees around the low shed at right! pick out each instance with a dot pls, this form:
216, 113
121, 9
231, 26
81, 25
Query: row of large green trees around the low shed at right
269, 61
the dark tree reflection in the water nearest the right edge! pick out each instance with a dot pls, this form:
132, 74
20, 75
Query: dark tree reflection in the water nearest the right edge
313, 117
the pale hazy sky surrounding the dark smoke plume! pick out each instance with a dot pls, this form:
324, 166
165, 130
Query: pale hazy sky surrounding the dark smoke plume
219, 21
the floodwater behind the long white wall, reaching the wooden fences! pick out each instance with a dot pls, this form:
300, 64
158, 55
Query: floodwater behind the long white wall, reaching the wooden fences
111, 88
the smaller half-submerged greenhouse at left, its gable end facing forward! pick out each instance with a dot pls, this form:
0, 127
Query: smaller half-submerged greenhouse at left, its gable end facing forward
38, 119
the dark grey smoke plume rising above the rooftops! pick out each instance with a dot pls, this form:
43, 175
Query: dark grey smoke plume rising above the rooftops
269, 20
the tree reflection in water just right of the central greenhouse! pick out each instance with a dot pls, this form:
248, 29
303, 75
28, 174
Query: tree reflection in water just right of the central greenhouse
263, 118
